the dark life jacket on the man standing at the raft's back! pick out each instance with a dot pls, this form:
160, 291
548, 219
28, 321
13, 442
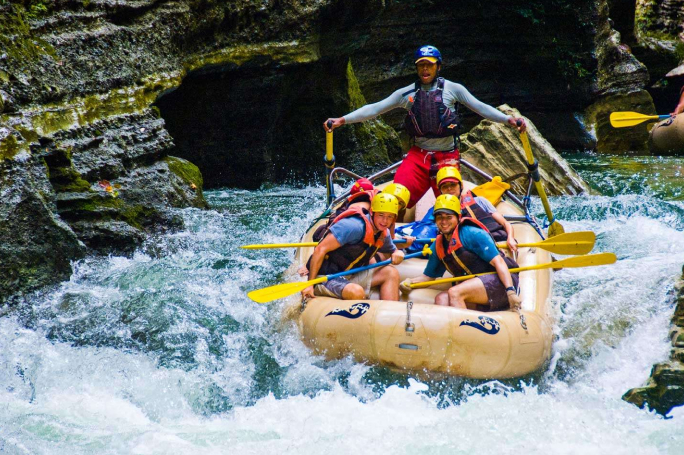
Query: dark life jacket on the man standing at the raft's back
429, 116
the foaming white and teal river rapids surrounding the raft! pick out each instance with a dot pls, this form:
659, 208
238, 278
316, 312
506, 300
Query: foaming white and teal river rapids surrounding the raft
163, 352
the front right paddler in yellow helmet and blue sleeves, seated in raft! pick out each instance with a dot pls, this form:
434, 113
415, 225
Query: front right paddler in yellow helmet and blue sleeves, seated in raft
464, 247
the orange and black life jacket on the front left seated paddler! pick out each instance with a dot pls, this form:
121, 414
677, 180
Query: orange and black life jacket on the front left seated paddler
353, 255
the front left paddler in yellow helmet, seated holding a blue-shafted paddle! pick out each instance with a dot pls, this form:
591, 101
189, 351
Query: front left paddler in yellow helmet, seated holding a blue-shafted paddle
351, 242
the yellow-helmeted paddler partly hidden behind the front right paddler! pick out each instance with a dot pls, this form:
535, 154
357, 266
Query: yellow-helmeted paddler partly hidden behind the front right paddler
449, 182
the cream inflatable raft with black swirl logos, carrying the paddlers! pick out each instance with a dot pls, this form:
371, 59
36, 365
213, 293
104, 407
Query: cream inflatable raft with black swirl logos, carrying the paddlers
415, 335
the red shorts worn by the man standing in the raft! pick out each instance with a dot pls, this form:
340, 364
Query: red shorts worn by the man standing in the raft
418, 171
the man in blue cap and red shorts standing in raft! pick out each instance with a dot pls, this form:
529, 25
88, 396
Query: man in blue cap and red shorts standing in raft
432, 121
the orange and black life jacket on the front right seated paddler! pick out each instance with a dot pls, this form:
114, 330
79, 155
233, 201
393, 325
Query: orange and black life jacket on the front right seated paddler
458, 260
